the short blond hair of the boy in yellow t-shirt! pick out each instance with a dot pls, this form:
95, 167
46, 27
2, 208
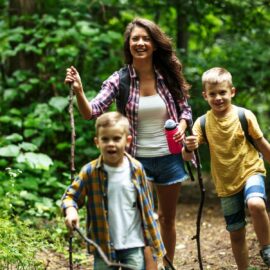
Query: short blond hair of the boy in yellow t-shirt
216, 75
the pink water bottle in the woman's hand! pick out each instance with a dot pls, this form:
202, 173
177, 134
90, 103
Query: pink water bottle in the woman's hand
170, 129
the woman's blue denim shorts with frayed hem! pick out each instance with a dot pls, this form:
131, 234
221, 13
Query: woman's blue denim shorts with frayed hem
165, 170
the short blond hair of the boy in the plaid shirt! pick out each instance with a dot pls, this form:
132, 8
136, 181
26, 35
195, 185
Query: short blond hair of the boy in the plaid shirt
110, 119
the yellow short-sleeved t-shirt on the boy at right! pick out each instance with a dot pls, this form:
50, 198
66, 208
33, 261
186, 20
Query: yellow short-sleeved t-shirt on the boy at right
233, 158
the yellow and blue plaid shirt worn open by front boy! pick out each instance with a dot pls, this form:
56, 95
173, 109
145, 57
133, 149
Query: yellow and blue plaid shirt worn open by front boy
92, 183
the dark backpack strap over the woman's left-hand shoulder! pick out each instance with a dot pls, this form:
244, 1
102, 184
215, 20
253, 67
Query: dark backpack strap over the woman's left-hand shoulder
124, 88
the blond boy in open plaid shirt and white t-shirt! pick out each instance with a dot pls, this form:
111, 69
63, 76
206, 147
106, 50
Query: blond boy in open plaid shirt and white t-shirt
119, 201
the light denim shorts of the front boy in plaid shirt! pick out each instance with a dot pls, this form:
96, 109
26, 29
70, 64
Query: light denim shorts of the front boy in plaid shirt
131, 256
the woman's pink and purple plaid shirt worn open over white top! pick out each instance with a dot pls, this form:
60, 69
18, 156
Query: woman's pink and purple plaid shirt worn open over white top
110, 90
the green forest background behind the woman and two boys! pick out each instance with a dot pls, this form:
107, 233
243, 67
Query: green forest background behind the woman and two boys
40, 39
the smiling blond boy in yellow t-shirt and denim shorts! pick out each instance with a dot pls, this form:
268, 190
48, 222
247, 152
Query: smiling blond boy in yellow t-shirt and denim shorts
237, 169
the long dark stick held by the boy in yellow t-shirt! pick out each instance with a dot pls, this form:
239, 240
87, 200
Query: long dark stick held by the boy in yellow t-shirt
199, 214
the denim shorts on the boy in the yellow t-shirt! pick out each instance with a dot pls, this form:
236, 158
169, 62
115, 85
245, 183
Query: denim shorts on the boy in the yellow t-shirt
233, 207
